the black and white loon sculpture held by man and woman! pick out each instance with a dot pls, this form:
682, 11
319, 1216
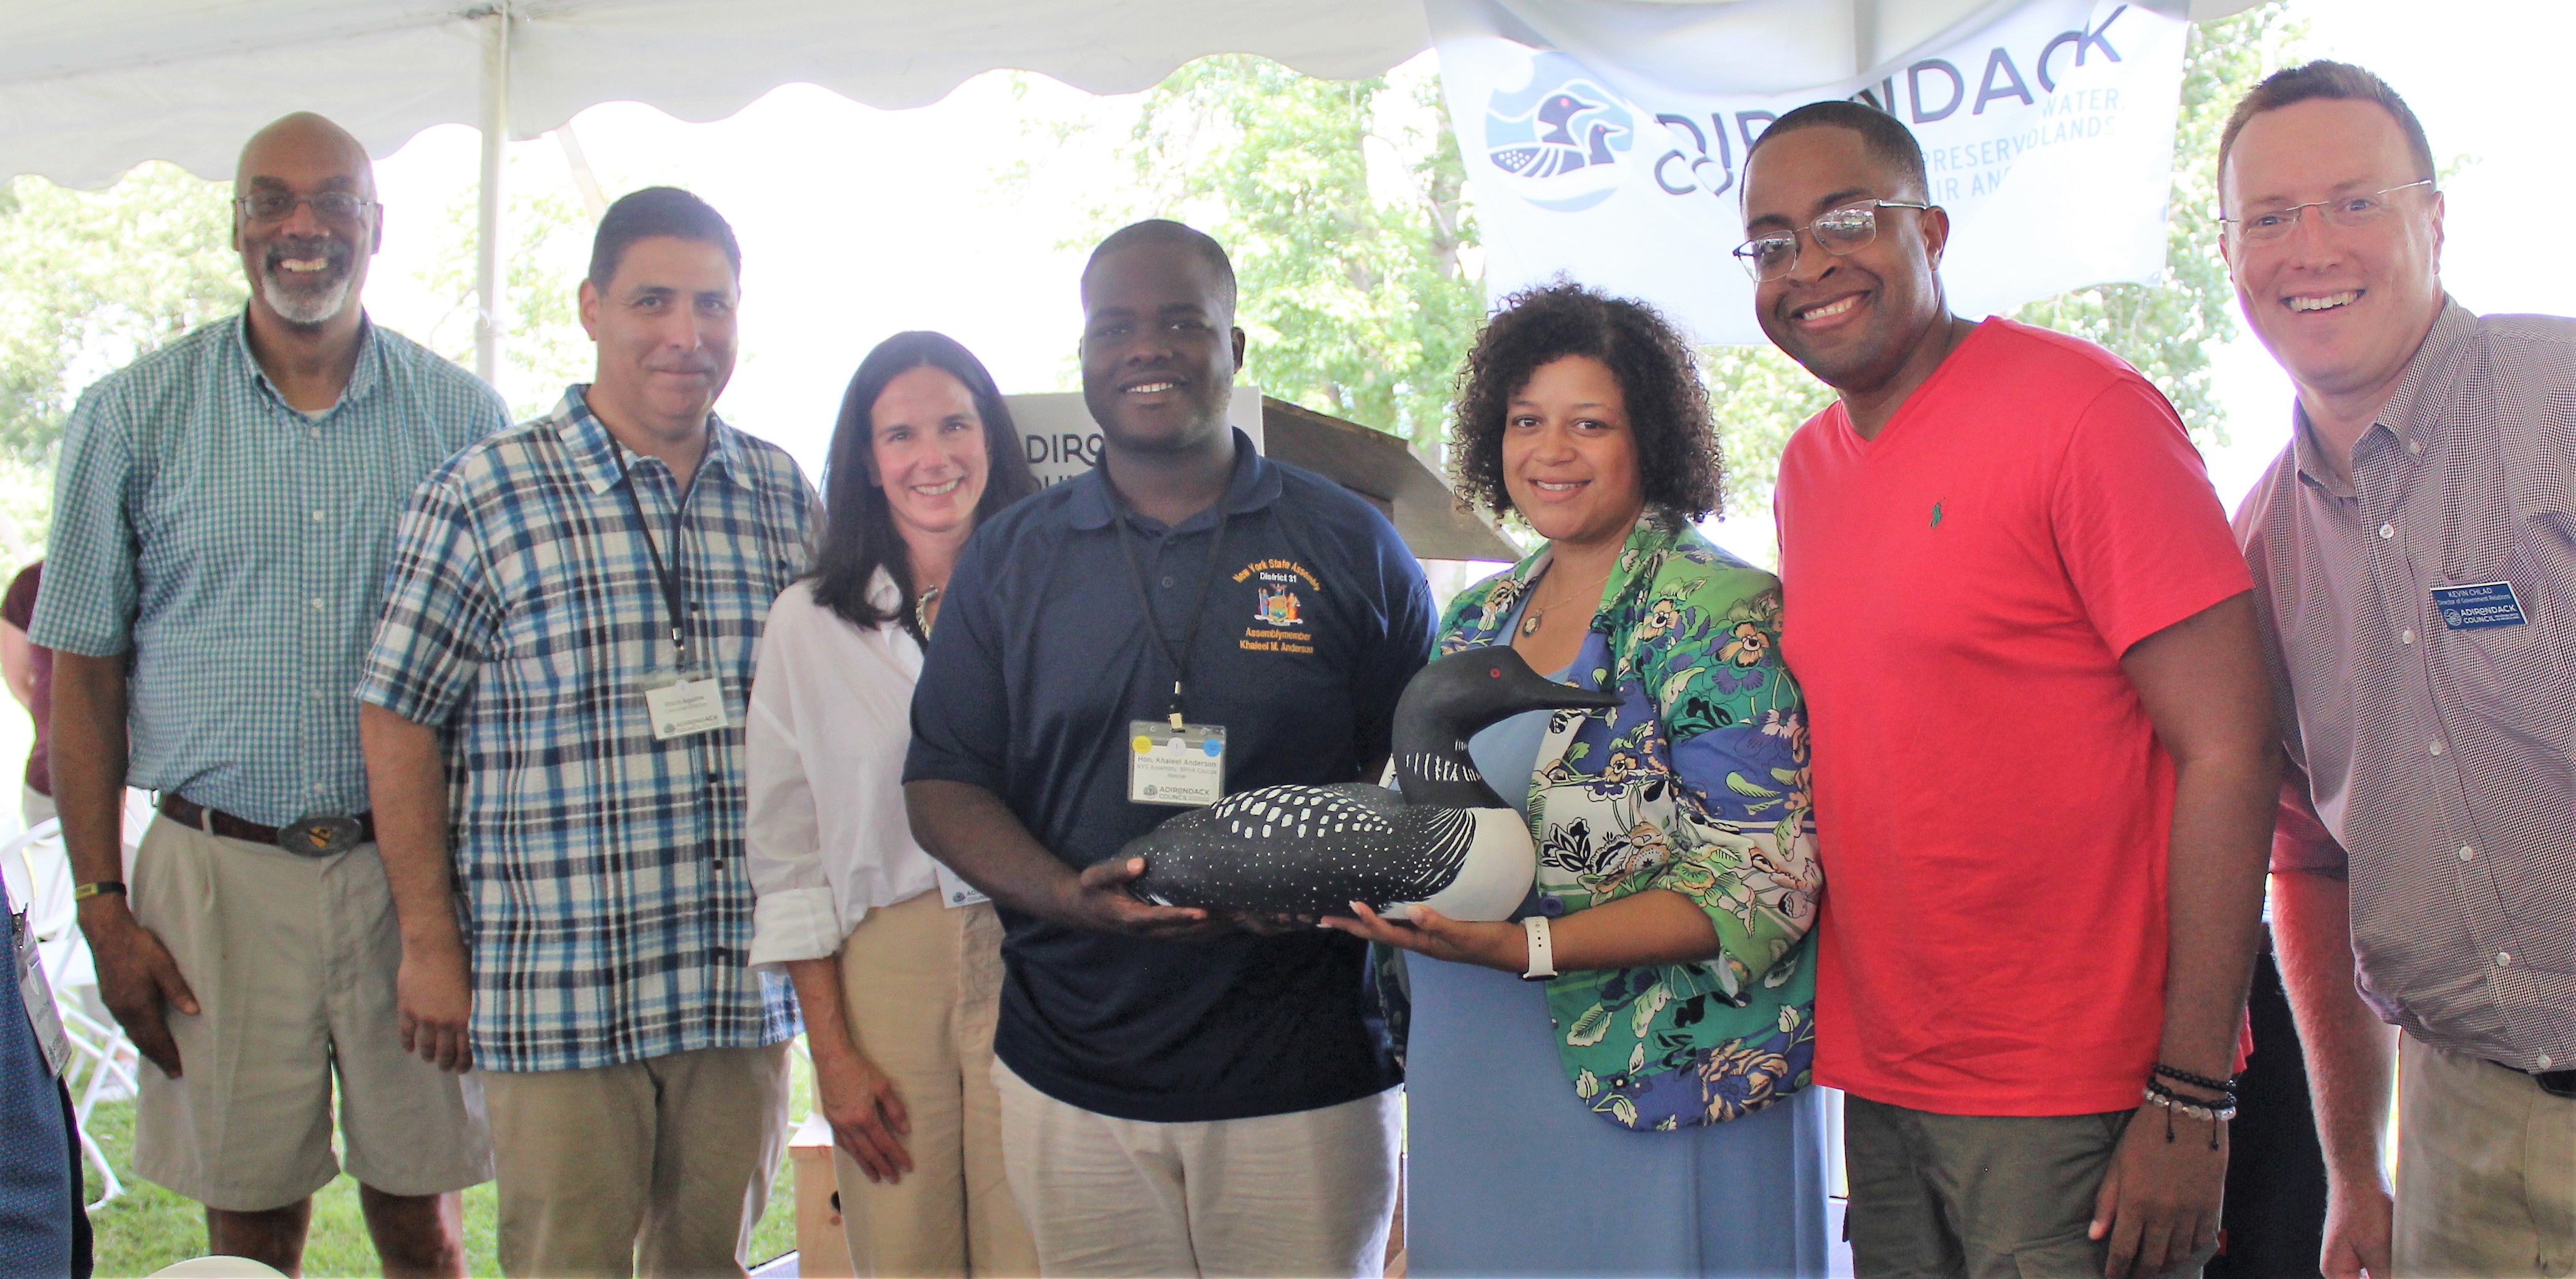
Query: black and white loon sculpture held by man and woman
1449, 845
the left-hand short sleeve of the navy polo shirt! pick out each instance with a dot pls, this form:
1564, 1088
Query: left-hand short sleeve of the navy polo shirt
960, 713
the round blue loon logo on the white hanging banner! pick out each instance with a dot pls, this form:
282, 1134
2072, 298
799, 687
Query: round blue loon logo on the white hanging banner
1557, 138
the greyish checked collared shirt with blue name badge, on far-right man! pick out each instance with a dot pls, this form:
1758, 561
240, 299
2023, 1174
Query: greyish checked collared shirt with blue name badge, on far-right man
2441, 757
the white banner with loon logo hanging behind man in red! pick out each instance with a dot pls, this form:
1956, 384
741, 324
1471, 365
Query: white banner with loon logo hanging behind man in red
1606, 141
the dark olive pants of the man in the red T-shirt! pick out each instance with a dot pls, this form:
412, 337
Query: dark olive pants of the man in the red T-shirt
1977, 1198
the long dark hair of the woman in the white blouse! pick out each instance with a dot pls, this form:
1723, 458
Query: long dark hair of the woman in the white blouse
859, 527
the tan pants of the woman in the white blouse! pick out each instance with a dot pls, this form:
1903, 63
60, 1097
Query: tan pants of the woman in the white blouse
923, 986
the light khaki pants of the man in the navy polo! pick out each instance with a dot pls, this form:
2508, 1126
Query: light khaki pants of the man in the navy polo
1305, 1193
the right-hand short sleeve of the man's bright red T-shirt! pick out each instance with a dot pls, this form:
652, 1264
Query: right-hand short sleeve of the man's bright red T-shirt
2137, 520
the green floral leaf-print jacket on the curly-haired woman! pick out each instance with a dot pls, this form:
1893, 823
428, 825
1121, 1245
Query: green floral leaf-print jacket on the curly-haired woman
1696, 785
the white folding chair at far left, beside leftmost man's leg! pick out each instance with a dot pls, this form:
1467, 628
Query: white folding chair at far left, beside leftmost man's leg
102, 1056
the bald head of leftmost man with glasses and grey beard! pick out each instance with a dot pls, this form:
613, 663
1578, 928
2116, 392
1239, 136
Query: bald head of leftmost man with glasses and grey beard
305, 218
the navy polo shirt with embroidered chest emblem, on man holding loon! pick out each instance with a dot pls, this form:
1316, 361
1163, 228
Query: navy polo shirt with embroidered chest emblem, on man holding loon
1315, 623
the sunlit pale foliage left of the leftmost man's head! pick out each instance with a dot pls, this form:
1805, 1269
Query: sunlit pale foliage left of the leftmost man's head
89, 280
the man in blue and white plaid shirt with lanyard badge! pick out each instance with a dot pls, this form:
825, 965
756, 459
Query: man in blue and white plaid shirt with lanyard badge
558, 695
